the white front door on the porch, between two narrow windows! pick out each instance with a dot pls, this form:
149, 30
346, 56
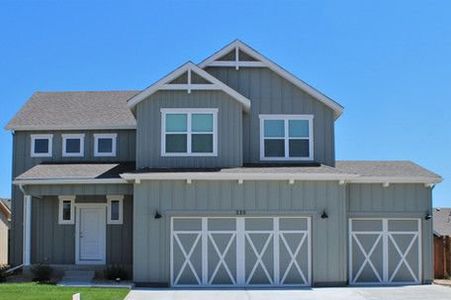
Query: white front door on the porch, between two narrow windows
90, 234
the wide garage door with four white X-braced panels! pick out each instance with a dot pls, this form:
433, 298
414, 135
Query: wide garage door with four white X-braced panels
243, 251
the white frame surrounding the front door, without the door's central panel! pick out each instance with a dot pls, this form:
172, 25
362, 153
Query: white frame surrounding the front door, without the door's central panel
78, 261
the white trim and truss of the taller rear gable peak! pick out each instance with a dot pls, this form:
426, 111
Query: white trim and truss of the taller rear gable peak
237, 54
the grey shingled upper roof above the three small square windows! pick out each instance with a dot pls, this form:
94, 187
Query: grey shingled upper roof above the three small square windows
75, 110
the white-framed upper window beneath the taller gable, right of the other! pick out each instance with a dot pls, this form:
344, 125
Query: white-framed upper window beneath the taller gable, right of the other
286, 137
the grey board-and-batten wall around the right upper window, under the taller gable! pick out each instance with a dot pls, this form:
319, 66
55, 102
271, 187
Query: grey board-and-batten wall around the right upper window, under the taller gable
271, 94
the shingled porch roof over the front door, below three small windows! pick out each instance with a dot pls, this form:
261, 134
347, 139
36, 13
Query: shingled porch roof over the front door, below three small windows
48, 173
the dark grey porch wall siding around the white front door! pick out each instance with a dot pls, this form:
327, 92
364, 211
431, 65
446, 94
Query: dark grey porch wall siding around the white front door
54, 243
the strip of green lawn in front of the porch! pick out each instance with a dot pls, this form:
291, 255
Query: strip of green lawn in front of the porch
28, 291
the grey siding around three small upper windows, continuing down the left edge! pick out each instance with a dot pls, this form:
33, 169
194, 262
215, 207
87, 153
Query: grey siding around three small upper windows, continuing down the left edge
22, 161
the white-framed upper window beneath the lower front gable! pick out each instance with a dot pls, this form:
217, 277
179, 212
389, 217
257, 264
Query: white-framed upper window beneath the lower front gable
189, 132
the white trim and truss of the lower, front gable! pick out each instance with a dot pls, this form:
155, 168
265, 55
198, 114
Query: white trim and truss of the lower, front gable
189, 68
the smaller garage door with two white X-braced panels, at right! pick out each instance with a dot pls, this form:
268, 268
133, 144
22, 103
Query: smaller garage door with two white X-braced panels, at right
384, 251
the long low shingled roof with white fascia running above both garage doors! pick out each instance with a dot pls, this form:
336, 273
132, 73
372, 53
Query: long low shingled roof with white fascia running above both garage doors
385, 172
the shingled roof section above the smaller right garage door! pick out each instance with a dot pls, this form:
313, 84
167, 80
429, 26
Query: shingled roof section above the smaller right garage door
392, 171
